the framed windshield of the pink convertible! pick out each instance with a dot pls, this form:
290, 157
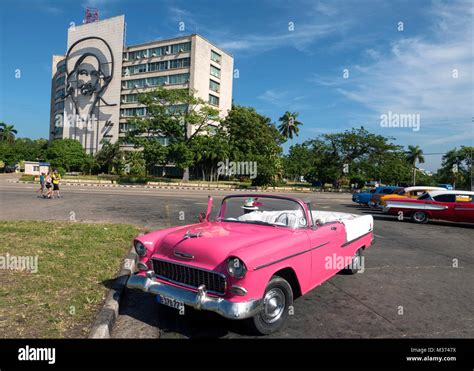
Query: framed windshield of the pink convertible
263, 210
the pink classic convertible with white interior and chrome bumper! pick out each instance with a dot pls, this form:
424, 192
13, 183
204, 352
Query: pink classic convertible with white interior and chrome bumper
260, 253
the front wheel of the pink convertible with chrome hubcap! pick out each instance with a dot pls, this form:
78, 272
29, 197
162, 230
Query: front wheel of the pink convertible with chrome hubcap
277, 301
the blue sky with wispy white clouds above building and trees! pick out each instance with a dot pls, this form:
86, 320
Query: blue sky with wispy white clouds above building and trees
340, 64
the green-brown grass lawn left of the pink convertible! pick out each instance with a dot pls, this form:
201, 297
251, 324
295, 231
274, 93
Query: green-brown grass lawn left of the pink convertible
74, 262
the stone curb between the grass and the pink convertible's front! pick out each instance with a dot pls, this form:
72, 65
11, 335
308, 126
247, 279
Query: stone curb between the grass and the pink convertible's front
105, 320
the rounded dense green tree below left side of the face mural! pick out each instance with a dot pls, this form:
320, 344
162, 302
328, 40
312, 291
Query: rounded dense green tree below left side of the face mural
67, 154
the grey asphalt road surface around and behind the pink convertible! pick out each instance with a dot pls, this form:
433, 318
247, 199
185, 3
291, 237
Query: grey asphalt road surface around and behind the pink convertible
411, 286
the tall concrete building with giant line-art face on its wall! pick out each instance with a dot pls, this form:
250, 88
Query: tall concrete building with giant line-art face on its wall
95, 86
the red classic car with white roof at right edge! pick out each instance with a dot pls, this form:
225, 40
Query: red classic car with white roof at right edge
455, 206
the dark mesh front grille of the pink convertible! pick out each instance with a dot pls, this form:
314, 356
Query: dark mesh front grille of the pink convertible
190, 276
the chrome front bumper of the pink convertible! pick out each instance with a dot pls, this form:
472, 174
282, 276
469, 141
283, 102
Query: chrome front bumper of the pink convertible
198, 300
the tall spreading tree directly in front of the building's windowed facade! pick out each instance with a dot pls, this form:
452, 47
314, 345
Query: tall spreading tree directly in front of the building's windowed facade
177, 115
